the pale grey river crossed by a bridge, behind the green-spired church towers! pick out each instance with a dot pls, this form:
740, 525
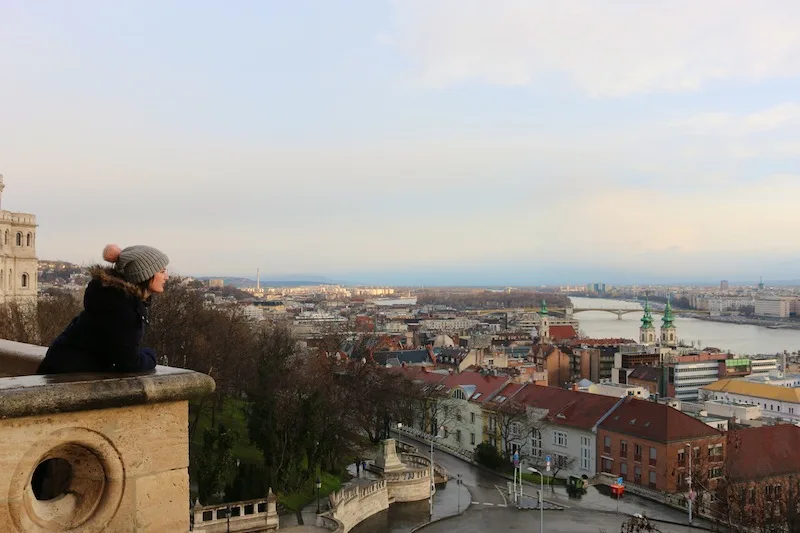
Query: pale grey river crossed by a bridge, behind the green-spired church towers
736, 338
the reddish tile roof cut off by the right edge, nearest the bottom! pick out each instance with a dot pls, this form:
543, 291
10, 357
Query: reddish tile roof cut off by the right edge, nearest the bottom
763, 452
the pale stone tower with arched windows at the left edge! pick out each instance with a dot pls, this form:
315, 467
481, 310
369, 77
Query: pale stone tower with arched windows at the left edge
18, 263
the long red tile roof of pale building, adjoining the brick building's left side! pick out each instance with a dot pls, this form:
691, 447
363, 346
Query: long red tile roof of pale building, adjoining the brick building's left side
567, 407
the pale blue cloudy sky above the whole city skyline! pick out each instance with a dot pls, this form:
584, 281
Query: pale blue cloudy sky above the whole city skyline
419, 141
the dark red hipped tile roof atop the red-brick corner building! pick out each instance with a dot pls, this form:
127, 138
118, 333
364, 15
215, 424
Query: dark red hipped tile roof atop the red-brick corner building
656, 422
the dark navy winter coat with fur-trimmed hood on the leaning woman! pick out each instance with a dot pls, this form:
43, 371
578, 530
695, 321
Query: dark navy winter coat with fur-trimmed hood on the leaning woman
107, 335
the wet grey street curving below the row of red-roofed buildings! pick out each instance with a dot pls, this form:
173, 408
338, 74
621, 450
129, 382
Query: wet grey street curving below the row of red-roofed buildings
596, 510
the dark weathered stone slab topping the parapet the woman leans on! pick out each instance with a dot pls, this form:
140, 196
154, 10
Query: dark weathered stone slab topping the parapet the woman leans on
38, 395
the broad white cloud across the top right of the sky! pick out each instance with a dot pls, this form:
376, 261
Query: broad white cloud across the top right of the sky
606, 49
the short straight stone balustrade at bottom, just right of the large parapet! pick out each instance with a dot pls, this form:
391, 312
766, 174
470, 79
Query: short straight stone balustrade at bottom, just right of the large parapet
253, 515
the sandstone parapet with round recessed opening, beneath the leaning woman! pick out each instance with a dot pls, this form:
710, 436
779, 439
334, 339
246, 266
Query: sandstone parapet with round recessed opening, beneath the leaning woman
93, 453
